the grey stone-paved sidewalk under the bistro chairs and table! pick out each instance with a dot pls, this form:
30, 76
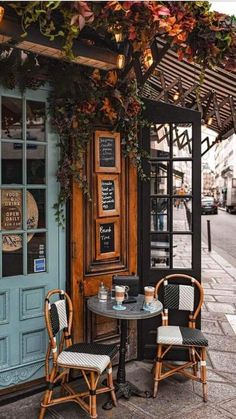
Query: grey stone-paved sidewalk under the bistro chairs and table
177, 398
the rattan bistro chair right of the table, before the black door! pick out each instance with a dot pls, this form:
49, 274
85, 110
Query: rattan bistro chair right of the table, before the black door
180, 297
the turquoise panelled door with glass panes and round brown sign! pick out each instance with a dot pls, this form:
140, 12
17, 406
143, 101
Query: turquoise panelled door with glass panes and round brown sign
31, 244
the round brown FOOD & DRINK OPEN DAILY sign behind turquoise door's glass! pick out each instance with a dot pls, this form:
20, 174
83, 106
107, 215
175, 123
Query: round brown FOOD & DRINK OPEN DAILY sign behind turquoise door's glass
12, 217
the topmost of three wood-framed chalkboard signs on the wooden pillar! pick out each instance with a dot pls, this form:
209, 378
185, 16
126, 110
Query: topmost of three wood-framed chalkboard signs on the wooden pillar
107, 152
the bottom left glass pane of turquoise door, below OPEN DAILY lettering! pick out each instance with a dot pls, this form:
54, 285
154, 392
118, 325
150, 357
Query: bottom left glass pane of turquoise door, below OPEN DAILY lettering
12, 255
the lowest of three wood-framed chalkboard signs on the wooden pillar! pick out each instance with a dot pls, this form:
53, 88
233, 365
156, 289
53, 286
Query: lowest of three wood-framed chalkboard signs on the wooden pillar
107, 238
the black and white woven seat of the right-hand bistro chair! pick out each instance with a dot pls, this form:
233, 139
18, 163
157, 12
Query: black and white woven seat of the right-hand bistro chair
178, 335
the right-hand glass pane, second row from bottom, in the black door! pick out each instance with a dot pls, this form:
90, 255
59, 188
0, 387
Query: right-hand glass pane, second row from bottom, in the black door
182, 214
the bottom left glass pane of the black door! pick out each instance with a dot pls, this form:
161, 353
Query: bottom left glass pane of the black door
160, 251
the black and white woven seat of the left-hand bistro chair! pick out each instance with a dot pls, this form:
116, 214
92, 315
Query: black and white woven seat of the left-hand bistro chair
92, 356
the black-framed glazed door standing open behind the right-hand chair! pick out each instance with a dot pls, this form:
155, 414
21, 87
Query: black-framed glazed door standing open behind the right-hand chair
169, 206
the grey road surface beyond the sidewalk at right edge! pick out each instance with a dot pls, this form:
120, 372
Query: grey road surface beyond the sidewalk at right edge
223, 234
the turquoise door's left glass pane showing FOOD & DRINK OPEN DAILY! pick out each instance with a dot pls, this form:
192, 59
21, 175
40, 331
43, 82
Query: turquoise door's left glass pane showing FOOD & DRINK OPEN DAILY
11, 209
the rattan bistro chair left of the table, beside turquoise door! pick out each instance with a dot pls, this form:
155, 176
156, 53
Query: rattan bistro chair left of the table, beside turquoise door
91, 359
